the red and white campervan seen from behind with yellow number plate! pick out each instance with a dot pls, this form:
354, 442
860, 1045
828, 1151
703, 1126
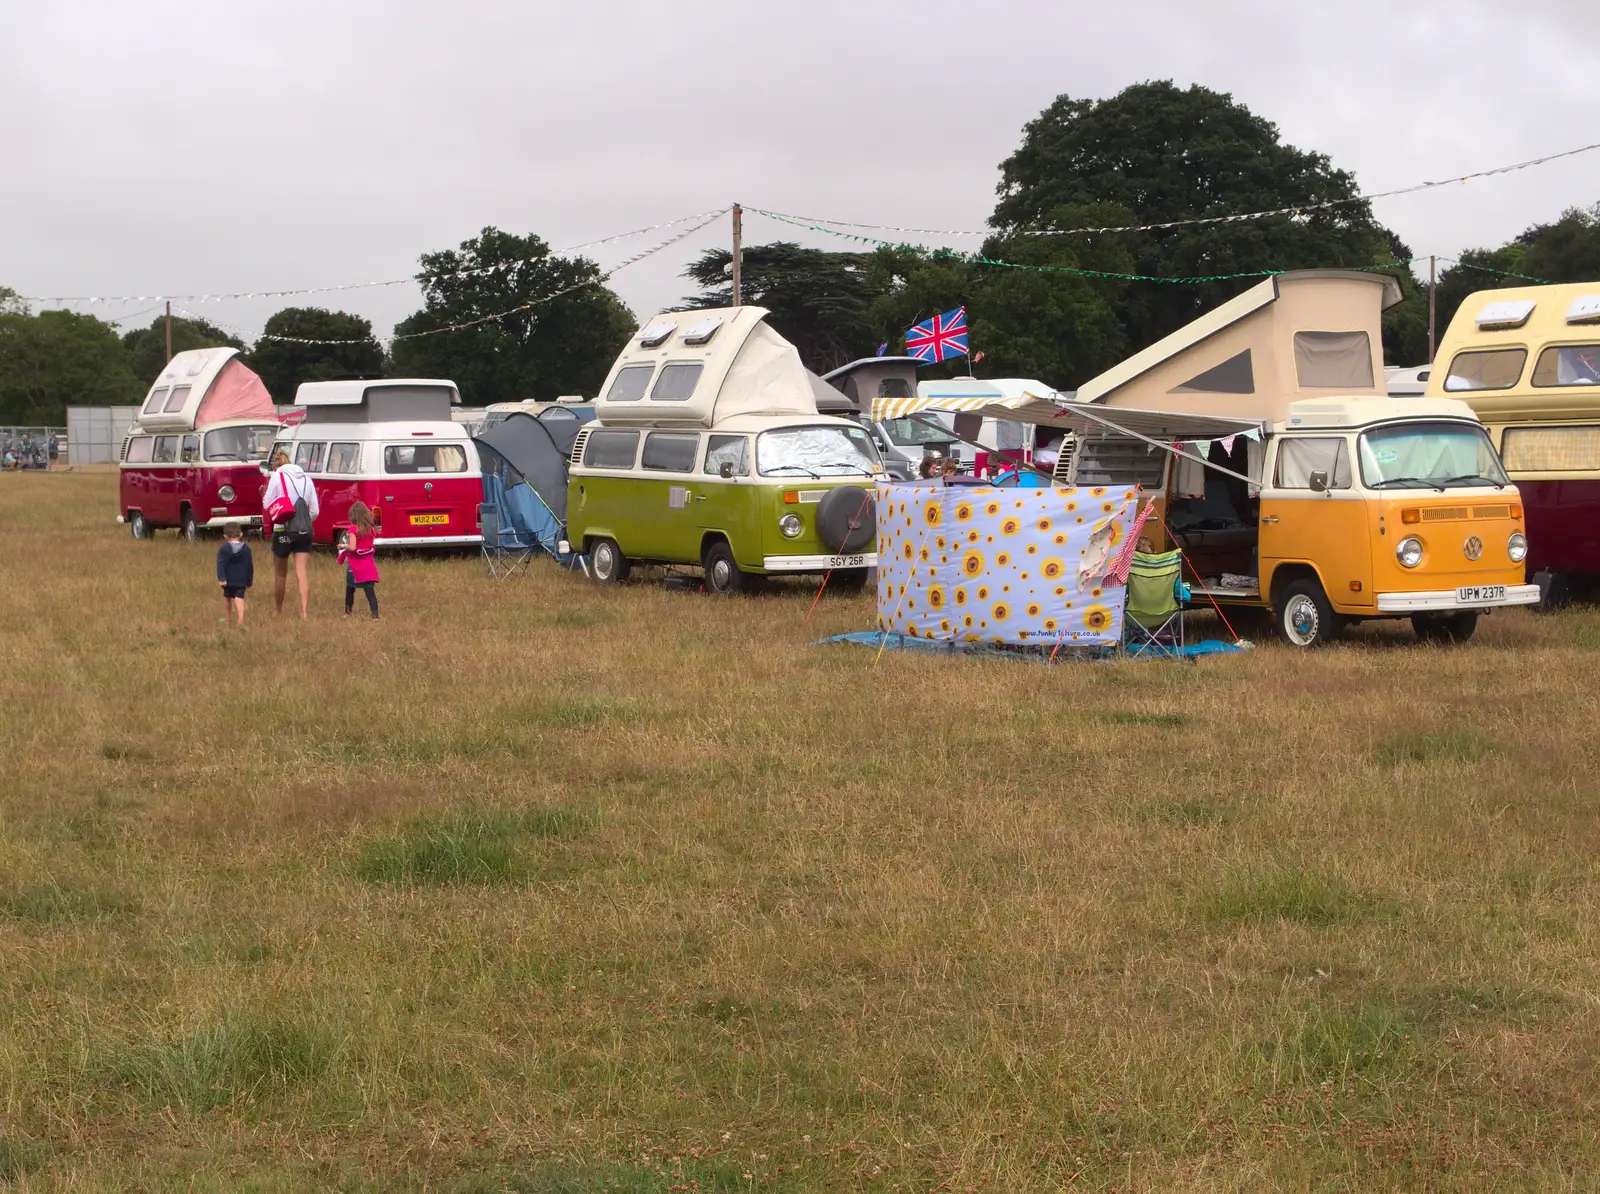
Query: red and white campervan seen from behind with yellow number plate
396, 447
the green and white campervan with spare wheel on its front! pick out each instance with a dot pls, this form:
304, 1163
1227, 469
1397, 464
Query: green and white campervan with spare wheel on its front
708, 451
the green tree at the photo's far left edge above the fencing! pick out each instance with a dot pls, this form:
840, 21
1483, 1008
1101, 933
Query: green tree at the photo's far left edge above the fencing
57, 359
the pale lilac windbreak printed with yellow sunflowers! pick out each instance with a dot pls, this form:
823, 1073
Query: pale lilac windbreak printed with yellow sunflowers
1001, 566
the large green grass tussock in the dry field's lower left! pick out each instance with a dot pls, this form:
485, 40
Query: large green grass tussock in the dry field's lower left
241, 1059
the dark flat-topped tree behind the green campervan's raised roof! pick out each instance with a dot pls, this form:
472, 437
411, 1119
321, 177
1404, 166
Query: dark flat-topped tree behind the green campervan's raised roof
818, 300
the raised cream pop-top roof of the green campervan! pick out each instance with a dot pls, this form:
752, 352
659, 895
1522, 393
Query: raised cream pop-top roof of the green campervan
695, 369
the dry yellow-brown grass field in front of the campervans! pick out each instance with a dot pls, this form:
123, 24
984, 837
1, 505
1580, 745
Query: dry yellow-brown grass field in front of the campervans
535, 887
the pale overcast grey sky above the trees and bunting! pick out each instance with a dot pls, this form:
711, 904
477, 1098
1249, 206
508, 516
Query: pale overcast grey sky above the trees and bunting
180, 146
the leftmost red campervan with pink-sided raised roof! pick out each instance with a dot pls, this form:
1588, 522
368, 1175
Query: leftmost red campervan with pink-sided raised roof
194, 457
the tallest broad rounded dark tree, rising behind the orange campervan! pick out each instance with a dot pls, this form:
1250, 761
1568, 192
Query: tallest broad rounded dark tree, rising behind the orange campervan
1159, 153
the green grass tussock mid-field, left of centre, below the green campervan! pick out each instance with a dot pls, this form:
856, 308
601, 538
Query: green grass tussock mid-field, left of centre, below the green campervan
468, 847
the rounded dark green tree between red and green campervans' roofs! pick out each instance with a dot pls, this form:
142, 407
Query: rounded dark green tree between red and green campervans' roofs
542, 326
